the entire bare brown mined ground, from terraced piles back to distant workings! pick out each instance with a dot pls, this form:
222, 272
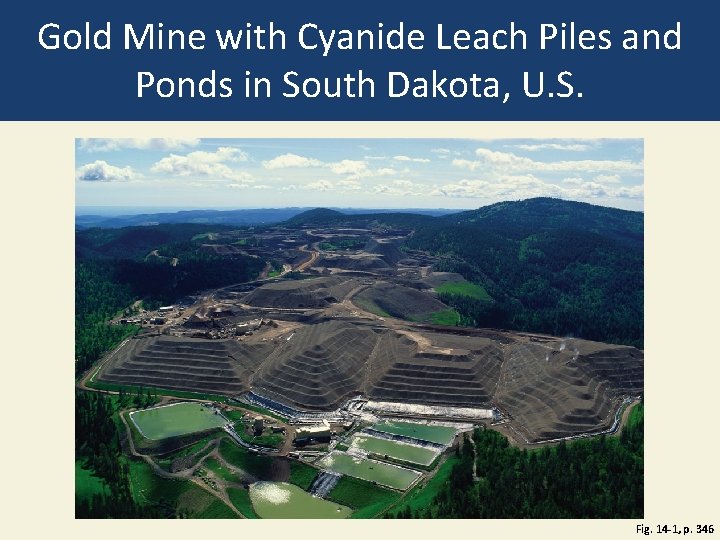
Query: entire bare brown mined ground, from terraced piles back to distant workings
337, 336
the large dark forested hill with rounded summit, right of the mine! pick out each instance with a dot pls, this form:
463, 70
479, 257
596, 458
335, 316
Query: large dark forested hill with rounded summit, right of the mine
551, 266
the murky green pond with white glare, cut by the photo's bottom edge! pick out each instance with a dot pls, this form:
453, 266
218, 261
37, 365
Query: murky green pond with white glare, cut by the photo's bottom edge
273, 500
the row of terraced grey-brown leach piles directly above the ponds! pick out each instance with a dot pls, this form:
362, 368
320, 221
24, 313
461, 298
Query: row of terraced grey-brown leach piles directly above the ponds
547, 387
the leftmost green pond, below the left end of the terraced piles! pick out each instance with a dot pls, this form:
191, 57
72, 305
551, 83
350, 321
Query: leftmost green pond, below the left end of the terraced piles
174, 420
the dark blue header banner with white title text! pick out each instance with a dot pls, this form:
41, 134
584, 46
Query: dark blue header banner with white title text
371, 60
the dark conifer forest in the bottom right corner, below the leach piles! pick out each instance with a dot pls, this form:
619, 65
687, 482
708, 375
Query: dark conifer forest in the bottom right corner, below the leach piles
599, 477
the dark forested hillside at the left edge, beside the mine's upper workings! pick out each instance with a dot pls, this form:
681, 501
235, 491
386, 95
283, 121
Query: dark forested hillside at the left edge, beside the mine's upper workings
115, 267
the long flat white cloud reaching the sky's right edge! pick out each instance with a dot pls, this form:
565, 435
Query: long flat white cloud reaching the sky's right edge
508, 162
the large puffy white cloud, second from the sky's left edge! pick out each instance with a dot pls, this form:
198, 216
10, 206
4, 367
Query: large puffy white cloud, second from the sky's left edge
201, 163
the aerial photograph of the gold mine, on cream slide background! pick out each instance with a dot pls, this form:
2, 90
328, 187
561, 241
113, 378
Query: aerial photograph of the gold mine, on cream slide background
359, 328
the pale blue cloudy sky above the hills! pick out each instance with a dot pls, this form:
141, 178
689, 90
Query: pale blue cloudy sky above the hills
369, 173
